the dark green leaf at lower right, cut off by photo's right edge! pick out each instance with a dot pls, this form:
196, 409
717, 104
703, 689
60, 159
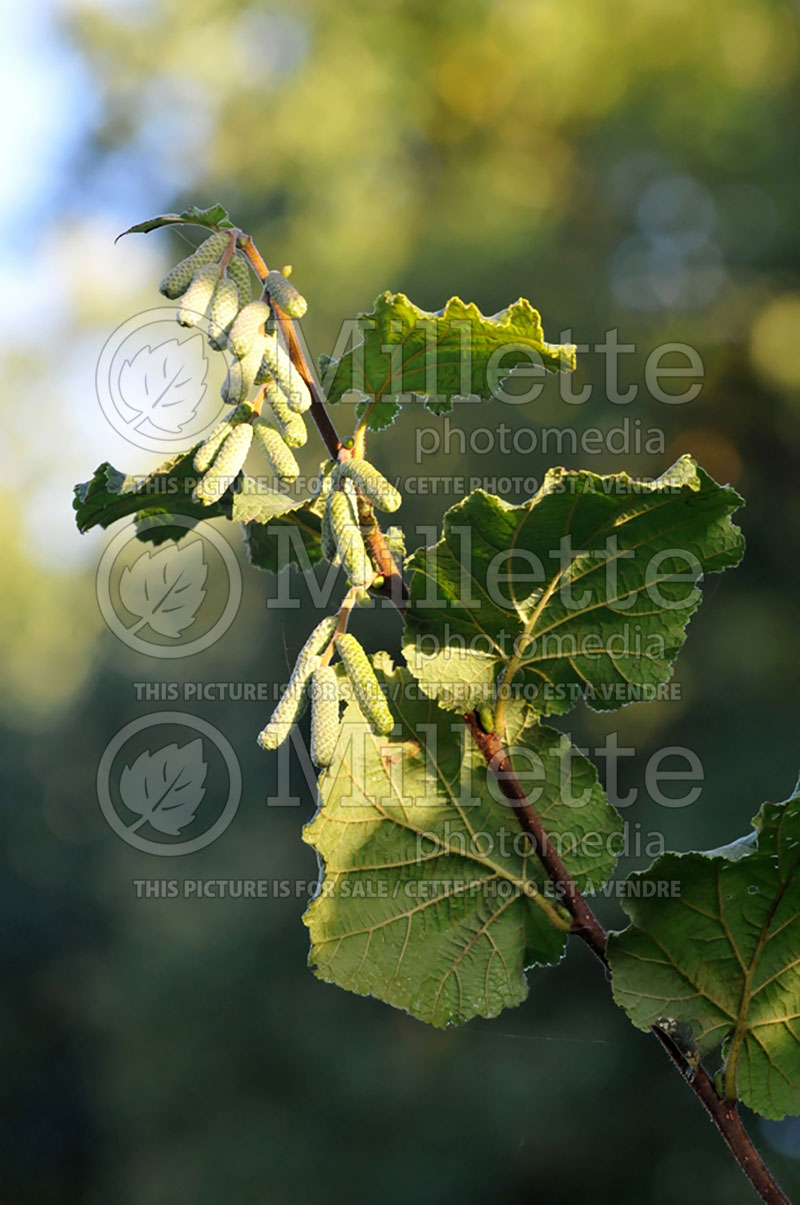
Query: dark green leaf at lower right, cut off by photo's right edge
721, 954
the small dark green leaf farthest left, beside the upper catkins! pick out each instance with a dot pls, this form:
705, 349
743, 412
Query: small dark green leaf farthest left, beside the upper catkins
154, 498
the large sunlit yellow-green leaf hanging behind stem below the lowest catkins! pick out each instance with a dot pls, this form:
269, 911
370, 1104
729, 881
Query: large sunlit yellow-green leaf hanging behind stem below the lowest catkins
431, 898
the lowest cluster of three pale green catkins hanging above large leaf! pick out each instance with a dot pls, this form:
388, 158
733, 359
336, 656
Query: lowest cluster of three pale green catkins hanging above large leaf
315, 679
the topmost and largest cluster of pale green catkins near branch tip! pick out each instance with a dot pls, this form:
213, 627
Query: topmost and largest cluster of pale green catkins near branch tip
244, 327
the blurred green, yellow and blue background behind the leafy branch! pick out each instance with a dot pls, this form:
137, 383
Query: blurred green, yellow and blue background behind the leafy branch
628, 166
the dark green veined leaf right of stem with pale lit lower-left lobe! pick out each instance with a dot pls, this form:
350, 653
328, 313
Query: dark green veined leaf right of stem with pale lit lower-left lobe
583, 592
